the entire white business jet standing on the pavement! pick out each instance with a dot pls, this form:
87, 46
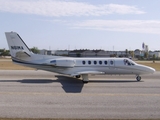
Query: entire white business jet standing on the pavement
75, 67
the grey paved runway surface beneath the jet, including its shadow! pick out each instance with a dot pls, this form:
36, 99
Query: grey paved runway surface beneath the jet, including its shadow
39, 94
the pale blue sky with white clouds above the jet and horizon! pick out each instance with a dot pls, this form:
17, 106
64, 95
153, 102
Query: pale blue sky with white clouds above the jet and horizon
82, 24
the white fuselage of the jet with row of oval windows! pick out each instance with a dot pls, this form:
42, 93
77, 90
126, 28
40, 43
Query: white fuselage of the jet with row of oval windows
69, 65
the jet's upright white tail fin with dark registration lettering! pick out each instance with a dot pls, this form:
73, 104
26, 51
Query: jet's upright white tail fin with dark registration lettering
16, 45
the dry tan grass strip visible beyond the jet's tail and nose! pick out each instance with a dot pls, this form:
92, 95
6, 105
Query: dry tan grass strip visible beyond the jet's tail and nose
9, 65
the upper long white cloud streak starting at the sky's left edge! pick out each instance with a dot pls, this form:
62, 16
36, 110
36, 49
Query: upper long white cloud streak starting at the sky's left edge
58, 8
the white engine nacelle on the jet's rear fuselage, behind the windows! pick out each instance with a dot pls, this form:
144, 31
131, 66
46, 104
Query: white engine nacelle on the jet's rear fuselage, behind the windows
63, 63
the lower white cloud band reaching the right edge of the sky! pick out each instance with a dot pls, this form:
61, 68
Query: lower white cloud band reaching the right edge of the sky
138, 26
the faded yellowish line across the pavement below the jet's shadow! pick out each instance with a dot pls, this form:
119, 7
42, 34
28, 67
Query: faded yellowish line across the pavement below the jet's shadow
76, 94
